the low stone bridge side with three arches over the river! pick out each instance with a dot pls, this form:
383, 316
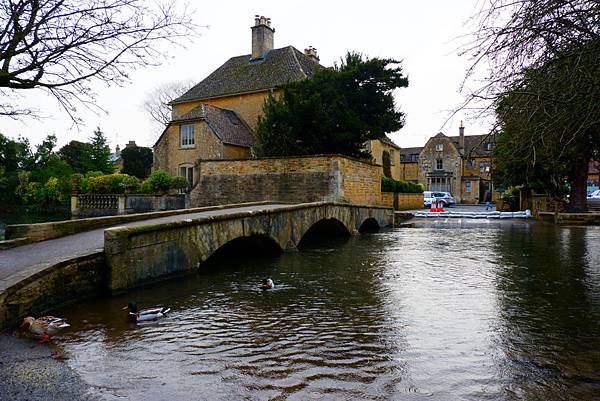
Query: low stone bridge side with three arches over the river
139, 254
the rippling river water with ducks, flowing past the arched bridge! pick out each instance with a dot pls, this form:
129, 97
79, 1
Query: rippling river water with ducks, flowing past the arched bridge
504, 311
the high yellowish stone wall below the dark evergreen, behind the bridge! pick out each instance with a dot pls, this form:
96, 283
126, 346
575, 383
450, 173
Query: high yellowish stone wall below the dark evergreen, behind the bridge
329, 178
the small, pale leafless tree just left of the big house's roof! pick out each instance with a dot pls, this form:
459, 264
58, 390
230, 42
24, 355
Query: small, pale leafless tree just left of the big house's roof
157, 103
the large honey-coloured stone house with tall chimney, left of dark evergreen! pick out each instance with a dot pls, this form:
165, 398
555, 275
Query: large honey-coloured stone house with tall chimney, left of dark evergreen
215, 119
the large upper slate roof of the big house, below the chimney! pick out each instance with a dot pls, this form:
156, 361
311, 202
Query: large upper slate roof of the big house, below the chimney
240, 74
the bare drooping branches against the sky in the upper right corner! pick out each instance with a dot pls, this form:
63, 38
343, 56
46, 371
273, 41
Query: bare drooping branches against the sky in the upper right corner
513, 35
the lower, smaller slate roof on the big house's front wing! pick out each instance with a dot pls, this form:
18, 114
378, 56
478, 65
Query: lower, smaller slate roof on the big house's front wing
227, 126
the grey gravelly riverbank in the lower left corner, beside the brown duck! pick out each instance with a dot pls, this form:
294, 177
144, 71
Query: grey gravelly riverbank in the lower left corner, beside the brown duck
29, 371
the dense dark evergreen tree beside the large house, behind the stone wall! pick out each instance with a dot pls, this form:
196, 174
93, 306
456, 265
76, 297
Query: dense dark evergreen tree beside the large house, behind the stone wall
336, 111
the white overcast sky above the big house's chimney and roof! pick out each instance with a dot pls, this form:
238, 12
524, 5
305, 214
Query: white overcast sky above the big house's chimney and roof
421, 34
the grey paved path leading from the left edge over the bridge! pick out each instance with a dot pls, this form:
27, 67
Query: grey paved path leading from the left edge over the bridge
14, 260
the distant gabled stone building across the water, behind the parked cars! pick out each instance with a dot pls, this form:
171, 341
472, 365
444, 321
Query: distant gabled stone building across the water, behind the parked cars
457, 164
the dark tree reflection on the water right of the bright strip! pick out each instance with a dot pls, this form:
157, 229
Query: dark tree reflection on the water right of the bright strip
548, 296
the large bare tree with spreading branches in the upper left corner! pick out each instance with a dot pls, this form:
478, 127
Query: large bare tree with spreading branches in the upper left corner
62, 46
